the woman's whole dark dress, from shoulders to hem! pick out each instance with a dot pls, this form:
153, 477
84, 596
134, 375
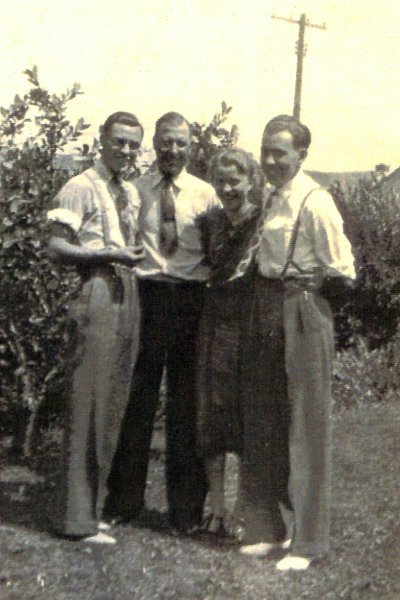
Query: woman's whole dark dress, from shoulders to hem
222, 335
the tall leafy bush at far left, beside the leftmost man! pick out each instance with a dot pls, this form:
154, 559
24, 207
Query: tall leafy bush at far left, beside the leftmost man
33, 295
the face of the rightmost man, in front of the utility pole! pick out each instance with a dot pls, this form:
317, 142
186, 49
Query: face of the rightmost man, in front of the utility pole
280, 160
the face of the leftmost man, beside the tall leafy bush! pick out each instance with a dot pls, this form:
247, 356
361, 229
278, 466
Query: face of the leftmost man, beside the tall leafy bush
120, 146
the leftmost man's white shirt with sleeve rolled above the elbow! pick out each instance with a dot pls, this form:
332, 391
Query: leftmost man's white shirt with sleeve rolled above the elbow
87, 204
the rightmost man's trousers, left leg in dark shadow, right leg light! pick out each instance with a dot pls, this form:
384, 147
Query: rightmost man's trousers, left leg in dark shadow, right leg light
287, 419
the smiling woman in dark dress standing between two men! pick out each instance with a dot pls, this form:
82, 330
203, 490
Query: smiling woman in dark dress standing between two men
228, 232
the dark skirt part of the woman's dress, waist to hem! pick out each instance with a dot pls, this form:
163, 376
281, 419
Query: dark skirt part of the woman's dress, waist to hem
222, 333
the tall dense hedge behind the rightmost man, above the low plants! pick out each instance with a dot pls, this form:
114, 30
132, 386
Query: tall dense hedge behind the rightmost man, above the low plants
372, 224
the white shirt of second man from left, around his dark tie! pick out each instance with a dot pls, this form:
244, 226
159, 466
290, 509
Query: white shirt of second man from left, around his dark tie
193, 199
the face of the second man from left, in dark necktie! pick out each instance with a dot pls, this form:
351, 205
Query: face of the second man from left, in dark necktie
172, 146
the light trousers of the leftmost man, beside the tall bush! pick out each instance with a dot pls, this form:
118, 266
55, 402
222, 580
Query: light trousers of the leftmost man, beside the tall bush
105, 319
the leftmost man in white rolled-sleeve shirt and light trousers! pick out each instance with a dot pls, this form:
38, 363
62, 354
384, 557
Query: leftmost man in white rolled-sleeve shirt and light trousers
94, 226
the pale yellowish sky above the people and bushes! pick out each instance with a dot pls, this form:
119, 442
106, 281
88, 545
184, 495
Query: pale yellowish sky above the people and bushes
152, 56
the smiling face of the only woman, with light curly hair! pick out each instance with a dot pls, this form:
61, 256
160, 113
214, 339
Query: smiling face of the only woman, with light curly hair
232, 187
